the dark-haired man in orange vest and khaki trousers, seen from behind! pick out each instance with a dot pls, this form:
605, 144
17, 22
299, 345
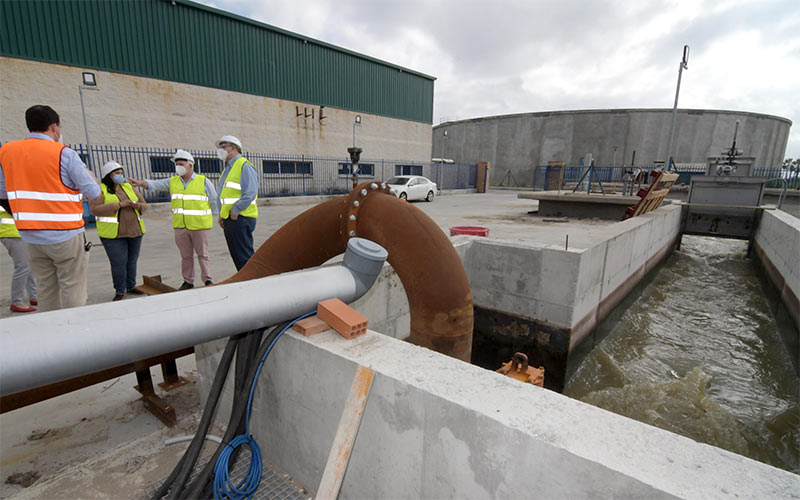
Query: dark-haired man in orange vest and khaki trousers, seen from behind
41, 183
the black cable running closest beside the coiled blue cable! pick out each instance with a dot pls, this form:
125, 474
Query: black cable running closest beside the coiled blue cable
201, 487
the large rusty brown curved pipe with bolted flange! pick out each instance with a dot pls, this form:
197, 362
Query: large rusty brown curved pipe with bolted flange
431, 271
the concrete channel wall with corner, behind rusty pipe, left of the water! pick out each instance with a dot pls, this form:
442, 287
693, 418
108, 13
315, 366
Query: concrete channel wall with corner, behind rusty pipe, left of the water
560, 286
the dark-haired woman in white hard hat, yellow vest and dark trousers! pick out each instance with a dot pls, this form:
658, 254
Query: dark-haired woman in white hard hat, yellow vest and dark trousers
120, 227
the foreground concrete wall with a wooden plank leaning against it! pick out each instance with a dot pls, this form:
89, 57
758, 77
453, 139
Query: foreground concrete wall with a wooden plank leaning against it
435, 427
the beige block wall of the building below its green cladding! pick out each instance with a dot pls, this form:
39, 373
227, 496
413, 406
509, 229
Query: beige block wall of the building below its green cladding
129, 110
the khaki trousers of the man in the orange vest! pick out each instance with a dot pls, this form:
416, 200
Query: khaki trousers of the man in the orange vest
61, 272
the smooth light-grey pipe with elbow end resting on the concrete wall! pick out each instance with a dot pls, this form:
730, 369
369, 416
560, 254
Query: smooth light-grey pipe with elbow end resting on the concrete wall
49, 347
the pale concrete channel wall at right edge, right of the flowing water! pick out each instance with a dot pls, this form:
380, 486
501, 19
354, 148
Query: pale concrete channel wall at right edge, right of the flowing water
778, 235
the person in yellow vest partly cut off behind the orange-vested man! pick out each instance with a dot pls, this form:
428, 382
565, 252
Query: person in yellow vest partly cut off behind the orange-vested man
22, 280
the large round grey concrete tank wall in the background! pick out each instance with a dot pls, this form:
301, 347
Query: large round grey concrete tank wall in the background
520, 142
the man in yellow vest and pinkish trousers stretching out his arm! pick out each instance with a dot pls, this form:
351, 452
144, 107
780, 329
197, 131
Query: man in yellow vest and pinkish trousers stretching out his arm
194, 207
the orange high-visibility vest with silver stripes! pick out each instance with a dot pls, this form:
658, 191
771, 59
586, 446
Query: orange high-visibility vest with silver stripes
39, 199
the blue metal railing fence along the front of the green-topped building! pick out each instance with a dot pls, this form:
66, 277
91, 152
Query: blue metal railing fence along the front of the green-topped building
279, 175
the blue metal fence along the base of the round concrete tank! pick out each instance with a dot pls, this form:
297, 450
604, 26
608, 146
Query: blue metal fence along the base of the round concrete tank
546, 176
